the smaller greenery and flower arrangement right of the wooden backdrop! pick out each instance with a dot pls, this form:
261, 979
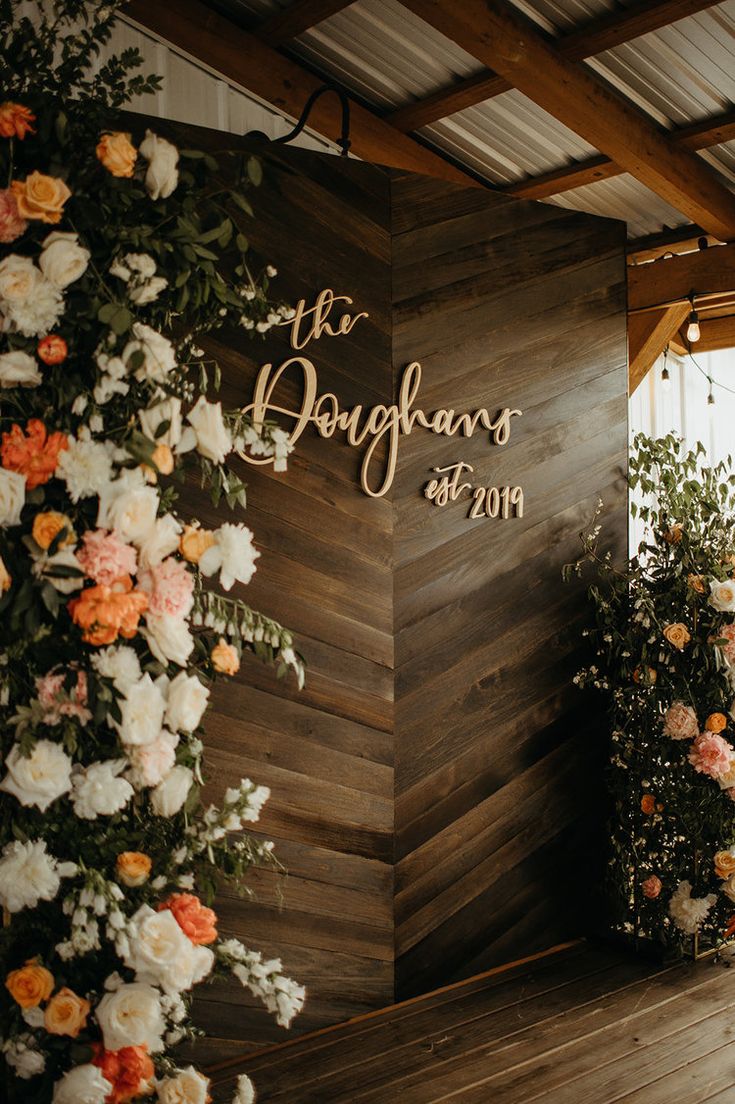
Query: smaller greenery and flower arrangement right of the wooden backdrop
665, 644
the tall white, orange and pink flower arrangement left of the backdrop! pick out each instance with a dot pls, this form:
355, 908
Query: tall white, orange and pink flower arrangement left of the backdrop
116, 257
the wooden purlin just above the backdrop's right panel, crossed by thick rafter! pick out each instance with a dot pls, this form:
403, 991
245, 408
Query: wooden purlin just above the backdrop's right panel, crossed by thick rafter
711, 132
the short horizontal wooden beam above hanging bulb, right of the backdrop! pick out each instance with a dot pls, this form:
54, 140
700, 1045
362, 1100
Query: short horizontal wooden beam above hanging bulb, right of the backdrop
670, 281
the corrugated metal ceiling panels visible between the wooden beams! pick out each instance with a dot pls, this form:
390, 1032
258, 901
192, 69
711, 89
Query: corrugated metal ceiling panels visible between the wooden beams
389, 57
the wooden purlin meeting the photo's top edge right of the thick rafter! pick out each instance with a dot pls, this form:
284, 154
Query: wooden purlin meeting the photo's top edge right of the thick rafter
610, 30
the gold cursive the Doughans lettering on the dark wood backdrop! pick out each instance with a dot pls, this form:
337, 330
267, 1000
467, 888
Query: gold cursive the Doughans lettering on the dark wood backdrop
371, 426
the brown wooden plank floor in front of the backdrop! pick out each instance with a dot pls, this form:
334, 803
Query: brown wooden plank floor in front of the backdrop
581, 1025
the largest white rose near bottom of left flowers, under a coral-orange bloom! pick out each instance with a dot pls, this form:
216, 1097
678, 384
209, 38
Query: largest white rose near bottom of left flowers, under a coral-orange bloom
162, 954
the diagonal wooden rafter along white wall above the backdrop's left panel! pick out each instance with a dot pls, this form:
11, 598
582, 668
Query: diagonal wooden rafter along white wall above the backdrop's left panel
244, 60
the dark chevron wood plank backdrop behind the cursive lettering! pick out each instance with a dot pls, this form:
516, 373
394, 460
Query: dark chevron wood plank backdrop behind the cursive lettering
438, 785
